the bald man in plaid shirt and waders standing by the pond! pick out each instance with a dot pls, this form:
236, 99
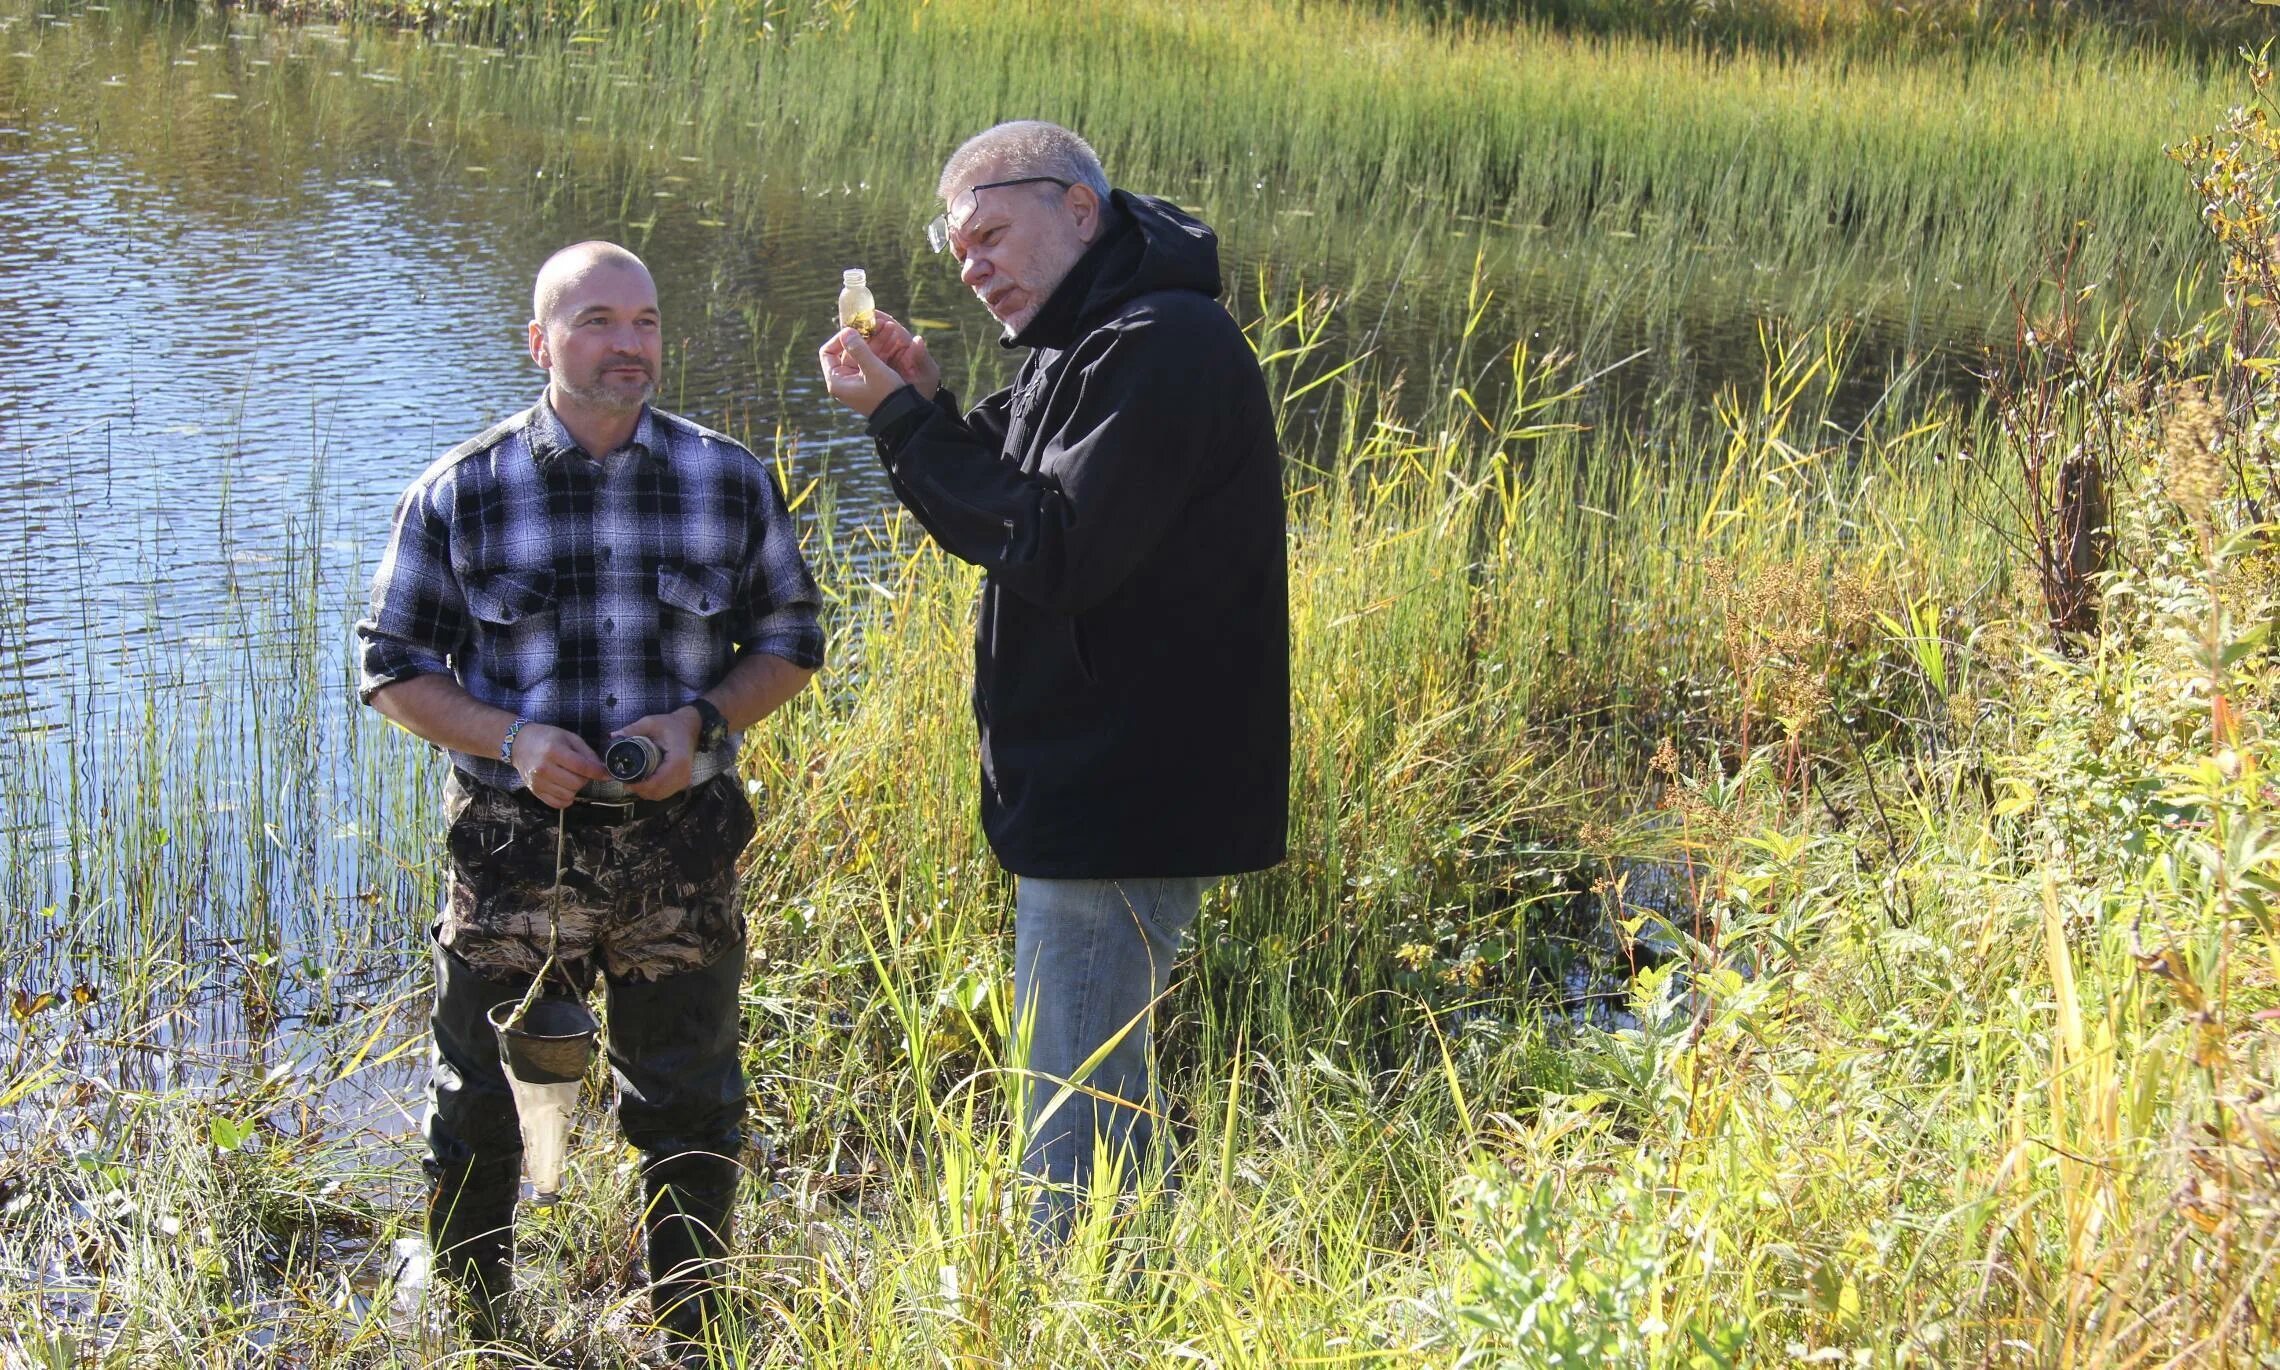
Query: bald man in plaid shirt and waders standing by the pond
587, 571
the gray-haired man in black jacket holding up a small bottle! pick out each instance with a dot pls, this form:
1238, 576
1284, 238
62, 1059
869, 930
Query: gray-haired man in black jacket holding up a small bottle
1132, 651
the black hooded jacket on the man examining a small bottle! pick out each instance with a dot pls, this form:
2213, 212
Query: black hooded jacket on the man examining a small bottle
1132, 662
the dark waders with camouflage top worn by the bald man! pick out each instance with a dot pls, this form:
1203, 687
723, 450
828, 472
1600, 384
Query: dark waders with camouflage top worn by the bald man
649, 906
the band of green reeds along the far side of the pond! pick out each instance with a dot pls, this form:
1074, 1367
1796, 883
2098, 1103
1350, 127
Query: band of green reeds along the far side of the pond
1353, 129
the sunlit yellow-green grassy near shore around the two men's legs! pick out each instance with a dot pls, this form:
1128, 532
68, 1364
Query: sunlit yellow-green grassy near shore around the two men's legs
1951, 959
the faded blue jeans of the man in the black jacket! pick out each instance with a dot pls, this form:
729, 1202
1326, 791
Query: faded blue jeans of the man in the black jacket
1091, 961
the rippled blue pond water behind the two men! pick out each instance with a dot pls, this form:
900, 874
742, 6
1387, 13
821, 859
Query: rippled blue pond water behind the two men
263, 286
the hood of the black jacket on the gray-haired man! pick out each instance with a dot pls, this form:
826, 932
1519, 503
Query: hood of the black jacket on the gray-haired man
1148, 245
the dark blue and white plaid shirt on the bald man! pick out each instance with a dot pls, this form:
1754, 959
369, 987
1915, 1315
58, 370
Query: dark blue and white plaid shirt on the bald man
589, 594
